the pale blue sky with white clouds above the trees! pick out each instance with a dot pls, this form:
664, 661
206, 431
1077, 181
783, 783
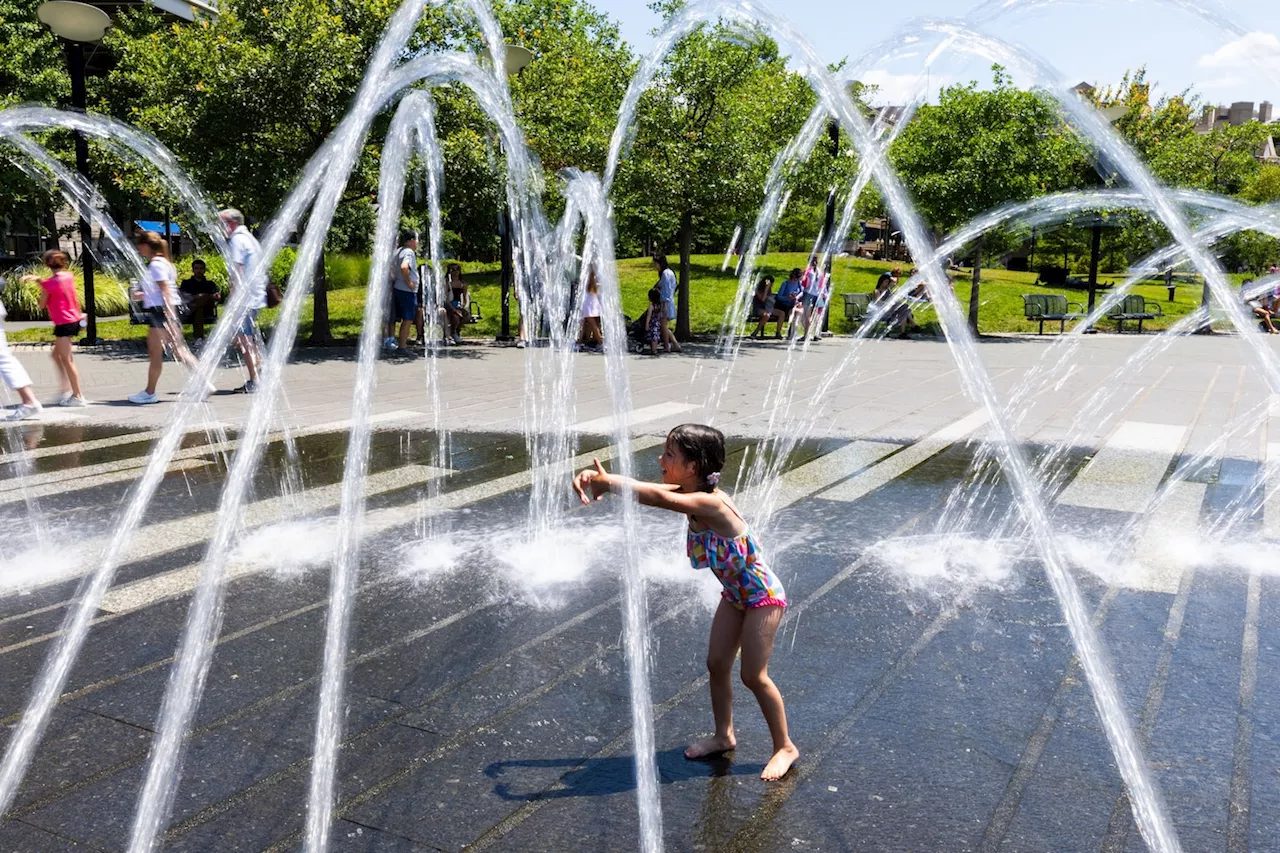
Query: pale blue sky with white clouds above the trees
1090, 42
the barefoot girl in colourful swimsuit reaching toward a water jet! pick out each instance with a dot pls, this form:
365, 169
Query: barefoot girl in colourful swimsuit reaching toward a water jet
753, 600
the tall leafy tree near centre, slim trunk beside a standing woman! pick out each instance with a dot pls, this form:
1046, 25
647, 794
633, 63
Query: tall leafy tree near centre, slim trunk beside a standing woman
707, 134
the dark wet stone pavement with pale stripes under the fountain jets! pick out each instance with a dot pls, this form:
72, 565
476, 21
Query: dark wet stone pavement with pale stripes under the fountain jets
932, 691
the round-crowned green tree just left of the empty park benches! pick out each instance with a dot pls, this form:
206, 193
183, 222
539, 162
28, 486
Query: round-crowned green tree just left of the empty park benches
979, 149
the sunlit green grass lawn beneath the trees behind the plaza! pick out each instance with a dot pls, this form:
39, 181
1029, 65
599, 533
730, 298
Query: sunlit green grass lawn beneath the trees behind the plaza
712, 290
